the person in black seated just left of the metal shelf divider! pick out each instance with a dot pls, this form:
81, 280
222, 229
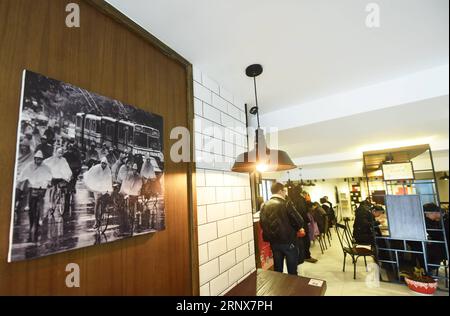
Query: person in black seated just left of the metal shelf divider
367, 224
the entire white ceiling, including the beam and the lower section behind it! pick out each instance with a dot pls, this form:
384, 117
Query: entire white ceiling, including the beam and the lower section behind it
338, 87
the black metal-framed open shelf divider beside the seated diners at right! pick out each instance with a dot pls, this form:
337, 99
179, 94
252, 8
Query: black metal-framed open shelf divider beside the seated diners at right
396, 253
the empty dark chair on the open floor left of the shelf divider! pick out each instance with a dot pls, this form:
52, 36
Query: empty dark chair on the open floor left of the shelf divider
349, 248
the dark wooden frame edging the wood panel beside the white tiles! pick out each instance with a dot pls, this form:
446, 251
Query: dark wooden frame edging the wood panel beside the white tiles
122, 19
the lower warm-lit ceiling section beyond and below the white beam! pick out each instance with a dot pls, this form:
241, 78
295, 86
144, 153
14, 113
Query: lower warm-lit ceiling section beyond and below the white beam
414, 122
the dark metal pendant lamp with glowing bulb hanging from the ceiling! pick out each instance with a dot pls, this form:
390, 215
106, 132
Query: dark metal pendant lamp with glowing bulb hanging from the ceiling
261, 158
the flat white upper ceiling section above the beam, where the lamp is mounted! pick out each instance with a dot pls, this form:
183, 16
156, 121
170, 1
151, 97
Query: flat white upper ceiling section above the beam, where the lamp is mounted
309, 48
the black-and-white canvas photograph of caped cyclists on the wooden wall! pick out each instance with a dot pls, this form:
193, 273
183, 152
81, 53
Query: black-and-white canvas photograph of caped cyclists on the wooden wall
88, 170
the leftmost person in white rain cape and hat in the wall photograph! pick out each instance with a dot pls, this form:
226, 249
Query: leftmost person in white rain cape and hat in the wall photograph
38, 176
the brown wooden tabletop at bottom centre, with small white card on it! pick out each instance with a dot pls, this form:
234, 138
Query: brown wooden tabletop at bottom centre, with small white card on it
270, 283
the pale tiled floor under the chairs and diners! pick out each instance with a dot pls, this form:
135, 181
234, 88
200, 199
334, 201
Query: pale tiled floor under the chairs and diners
329, 268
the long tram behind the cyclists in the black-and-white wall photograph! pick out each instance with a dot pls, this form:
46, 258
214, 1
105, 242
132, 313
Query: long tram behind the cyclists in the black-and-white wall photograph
126, 136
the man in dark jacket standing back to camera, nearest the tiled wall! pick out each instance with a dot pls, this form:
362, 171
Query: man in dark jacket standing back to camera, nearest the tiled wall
280, 222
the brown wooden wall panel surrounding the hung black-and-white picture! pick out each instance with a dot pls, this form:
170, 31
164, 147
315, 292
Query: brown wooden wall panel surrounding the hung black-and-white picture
106, 57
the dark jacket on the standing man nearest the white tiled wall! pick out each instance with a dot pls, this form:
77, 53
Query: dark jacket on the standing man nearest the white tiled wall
280, 221
